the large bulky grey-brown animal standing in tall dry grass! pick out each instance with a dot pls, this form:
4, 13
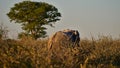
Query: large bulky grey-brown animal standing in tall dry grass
64, 36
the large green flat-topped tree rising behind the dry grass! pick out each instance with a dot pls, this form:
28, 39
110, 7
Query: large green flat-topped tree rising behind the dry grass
33, 16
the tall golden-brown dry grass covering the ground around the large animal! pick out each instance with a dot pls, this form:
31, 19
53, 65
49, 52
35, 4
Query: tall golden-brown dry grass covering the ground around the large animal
29, 53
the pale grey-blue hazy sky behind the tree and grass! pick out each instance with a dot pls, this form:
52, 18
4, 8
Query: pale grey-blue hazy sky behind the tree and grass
89, 17
